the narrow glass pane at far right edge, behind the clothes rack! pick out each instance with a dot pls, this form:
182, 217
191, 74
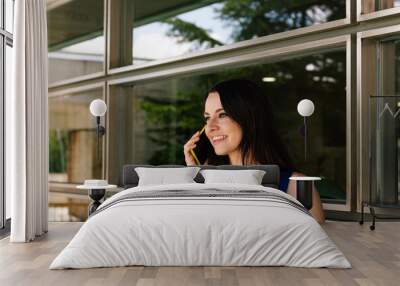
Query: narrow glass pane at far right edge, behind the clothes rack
385, 139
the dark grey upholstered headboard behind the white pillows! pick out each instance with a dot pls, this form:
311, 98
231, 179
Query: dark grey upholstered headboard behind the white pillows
271, 178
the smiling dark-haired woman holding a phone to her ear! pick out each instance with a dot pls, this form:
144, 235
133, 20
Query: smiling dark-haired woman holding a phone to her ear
240, 127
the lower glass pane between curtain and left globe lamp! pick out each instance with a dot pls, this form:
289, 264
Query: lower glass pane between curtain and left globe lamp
72, 138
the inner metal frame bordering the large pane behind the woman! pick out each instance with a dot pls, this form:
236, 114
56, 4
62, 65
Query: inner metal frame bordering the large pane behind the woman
265, 57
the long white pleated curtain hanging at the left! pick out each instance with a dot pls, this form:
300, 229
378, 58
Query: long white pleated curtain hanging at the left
26, 123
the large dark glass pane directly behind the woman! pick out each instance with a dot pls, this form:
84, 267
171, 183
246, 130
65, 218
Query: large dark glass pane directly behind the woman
156, 119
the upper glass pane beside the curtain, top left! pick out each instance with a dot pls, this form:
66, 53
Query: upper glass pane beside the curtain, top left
75, 38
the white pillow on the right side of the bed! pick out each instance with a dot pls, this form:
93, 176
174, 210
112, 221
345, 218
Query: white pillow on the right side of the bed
248, 177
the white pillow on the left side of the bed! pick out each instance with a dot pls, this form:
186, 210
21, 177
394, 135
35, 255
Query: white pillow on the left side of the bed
162, 176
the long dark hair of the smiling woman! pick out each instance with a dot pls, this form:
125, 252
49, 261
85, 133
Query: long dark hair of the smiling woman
243, 101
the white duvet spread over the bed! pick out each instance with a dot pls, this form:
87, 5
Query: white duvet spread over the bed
200, 231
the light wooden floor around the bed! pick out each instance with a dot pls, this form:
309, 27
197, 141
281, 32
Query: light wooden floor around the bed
374, 255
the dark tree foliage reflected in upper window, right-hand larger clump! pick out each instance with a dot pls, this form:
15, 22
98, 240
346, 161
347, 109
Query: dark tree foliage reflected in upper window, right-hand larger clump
256, 18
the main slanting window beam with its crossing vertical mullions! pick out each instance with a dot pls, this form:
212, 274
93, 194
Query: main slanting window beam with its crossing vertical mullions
354, 28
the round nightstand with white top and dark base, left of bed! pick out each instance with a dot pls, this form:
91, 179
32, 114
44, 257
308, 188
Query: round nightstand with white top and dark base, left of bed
96, 191
